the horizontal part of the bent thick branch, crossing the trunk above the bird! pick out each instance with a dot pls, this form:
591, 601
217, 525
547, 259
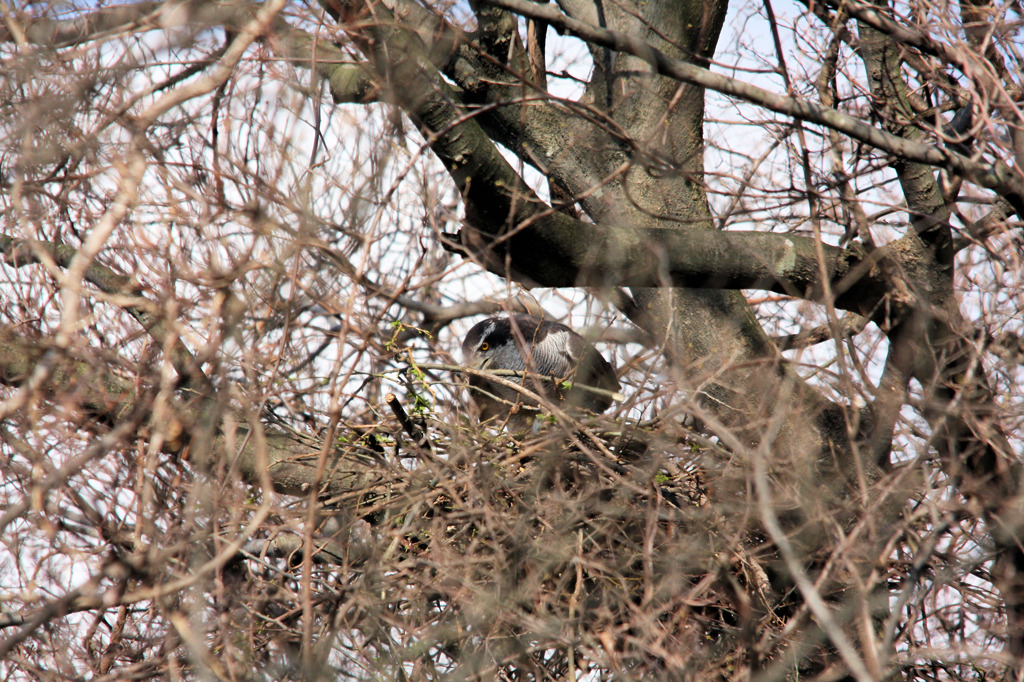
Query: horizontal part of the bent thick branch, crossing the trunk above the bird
559, 251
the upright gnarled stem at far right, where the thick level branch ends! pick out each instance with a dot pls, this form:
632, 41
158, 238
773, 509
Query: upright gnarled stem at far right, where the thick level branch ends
926, 345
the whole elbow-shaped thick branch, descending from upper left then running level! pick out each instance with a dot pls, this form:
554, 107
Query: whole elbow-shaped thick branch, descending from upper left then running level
548, 248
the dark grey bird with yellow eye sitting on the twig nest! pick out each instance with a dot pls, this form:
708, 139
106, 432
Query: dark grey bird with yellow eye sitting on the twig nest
548, 349
